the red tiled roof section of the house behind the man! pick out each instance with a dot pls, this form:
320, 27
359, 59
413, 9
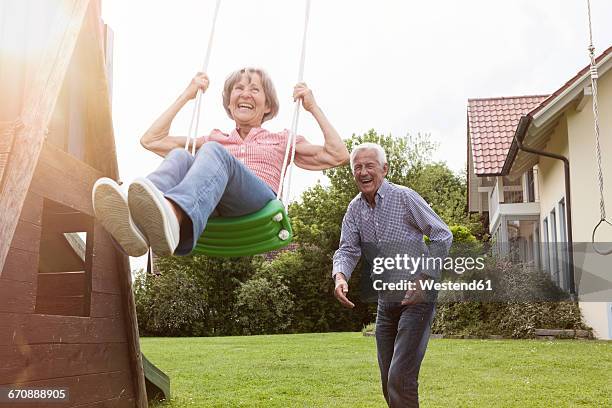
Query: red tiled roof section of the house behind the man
492, 123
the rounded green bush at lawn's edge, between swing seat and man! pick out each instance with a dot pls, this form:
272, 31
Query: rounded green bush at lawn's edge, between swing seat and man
263, 306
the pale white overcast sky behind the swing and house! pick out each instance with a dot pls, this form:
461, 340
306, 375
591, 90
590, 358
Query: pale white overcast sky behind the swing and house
397, 66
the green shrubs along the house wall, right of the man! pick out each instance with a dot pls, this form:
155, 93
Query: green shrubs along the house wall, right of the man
523, 300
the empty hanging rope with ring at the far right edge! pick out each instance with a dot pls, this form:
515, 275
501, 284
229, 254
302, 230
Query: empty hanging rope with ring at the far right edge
594, 77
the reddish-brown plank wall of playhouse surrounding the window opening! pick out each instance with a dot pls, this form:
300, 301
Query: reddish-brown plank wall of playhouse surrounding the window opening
89, 355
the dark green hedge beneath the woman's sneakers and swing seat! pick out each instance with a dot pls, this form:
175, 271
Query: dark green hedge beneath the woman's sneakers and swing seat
192, 296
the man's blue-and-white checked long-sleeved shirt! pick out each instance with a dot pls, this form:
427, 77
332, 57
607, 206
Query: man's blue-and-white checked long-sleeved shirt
400, 219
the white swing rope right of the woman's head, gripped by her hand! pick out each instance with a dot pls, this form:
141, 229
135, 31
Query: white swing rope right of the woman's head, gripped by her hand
283, 193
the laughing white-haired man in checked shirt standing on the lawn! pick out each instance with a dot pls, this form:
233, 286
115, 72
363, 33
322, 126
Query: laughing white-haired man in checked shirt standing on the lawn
382, 216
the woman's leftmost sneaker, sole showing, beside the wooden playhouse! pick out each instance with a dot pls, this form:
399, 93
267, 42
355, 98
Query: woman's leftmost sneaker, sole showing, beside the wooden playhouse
111, 210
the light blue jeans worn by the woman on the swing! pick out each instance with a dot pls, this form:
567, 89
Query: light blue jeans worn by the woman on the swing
212, 181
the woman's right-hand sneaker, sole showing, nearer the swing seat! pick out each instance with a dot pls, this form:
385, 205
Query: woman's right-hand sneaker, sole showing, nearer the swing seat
154, 216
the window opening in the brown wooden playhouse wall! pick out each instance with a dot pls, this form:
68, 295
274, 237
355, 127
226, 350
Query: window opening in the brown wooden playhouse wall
64, 267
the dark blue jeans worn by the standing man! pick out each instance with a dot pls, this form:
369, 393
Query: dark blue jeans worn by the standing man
402, 333
